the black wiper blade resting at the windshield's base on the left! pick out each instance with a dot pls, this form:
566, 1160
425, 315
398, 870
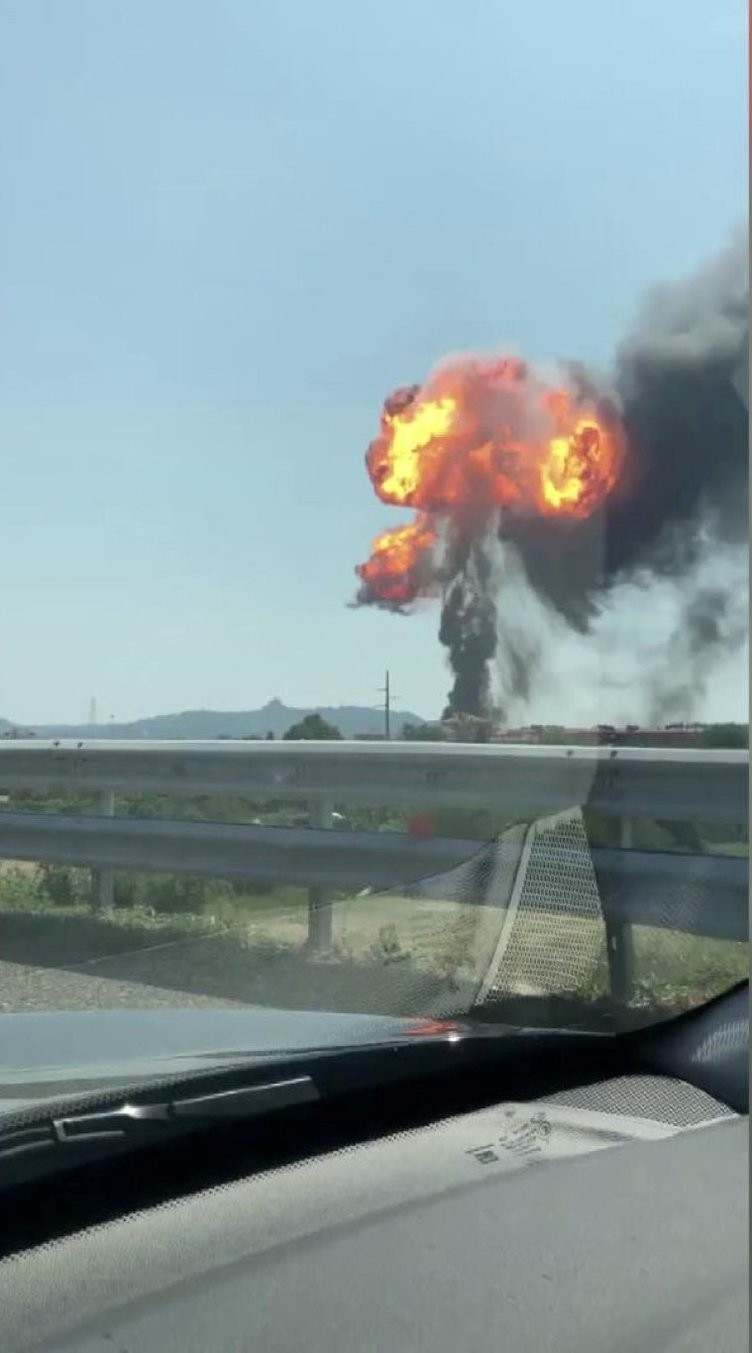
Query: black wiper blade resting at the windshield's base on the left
129, 1121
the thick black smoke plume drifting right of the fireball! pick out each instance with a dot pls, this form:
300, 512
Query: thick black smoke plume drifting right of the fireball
681, 382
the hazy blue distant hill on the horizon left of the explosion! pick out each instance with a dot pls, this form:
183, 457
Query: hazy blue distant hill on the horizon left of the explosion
275, 718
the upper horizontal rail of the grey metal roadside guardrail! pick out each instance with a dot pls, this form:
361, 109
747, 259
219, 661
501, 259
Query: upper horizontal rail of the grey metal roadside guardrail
638, 783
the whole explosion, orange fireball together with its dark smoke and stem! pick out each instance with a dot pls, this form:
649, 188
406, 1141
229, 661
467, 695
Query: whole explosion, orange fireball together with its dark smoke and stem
586, 486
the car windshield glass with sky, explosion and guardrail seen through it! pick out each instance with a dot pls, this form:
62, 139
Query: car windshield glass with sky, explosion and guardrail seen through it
375, 426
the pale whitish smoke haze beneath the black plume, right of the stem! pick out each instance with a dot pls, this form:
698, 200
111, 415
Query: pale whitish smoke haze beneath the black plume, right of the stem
661, 650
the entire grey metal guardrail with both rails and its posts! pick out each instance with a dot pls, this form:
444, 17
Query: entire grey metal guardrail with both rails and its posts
678, 787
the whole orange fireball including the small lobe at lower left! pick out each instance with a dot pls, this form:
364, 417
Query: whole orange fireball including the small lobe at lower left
484, 435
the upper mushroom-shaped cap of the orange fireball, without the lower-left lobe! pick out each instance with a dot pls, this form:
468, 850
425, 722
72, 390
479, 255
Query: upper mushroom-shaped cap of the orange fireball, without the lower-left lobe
490, 434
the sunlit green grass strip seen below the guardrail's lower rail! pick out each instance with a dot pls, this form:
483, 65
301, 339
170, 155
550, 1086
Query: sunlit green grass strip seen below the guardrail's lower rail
387, 946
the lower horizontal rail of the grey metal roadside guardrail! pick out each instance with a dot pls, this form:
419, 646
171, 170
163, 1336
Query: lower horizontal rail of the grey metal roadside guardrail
636, 886
